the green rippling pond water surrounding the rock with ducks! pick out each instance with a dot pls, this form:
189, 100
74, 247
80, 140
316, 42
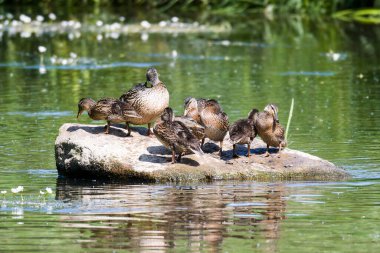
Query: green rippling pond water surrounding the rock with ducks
332, 71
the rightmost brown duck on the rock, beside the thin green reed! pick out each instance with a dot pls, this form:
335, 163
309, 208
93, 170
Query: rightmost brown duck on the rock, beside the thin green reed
269, 128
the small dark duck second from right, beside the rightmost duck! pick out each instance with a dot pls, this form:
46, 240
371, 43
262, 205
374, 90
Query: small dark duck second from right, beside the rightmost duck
243, 132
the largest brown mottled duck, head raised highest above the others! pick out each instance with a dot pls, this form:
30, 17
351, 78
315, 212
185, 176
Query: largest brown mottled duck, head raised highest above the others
148, 102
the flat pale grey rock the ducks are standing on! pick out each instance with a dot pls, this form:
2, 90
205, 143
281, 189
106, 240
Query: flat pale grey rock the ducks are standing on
84, 151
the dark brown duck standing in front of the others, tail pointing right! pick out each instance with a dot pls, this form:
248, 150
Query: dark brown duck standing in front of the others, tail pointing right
175, 135
